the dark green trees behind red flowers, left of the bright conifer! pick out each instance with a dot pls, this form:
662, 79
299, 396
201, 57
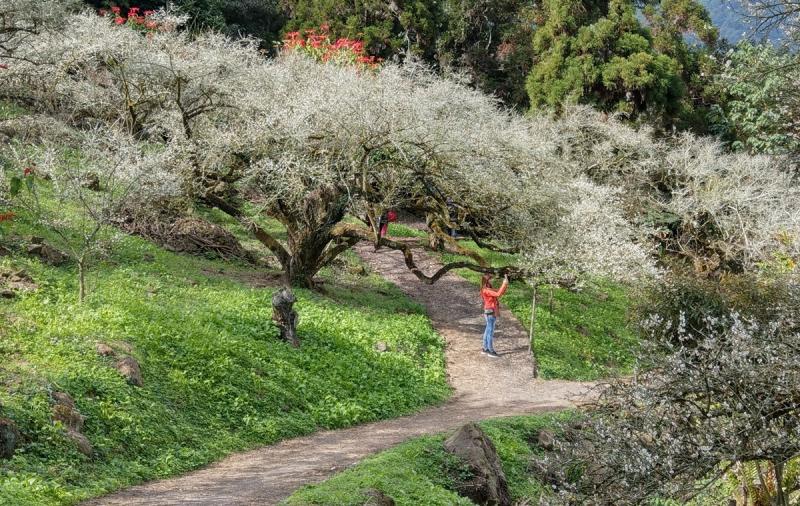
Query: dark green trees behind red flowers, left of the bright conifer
489, 41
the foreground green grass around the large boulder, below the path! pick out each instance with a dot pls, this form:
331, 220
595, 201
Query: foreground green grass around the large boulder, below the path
421, 472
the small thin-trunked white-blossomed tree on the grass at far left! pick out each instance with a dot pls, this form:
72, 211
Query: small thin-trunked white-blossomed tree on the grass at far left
77, 194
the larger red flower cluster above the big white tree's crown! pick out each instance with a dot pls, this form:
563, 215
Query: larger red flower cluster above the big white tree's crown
318, 45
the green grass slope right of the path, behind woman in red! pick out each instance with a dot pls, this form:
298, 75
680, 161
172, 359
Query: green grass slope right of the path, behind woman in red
581, 335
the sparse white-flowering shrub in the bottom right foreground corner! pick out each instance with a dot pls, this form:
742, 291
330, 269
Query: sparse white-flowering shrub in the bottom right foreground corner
714, 394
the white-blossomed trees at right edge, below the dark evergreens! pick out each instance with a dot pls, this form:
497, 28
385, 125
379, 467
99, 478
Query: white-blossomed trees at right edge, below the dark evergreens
719, 211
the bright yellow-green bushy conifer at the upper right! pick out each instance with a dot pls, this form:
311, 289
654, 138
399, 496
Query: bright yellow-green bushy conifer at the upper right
600, 53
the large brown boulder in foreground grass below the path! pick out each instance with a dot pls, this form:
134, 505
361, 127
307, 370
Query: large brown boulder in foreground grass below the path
488, 485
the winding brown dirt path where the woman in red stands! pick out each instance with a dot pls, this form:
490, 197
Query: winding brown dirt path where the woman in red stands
484, 388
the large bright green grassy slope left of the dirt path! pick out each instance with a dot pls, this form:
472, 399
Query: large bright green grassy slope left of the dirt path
216, 378
